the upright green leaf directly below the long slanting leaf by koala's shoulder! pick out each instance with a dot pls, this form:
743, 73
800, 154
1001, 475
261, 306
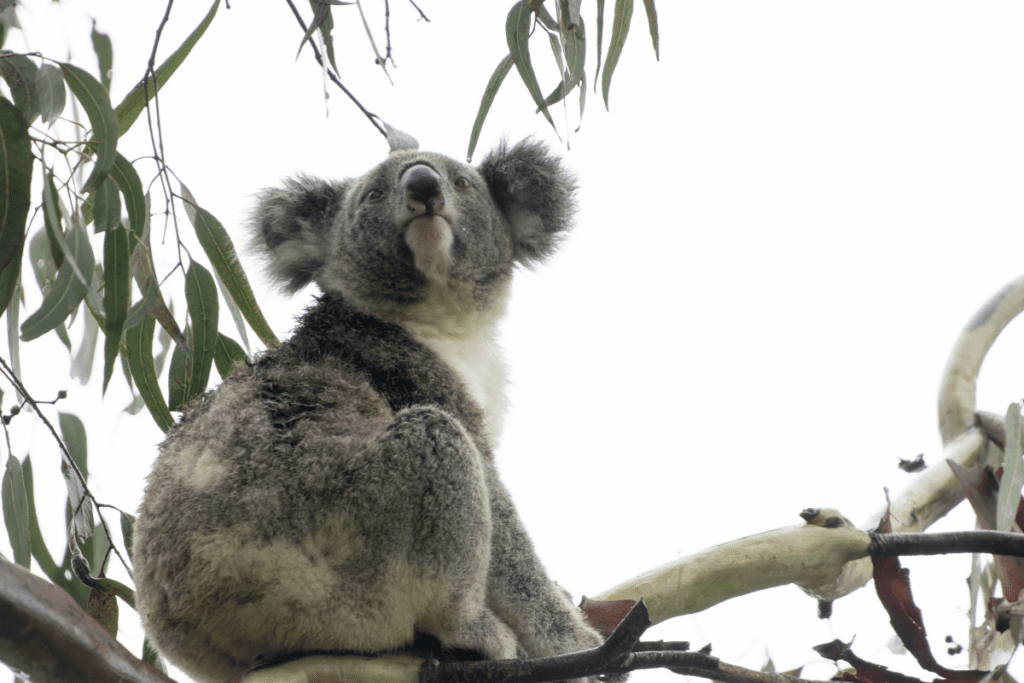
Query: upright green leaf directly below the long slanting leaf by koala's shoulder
201, 295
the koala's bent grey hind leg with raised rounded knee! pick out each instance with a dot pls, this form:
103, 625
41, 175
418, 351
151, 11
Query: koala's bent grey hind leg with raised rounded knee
431, 467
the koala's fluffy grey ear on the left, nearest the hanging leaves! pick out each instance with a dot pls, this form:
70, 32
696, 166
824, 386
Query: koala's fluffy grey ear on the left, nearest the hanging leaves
293, 225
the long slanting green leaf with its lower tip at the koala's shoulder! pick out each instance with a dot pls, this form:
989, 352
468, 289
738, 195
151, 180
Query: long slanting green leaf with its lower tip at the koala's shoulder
221, 251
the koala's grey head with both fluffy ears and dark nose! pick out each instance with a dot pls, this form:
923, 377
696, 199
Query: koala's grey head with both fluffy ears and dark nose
419, 228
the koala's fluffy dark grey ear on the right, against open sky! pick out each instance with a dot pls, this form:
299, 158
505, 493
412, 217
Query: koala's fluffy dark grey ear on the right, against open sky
536, 193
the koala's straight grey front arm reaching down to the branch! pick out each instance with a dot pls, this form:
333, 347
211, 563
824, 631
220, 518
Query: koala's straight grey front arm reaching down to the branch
520, 591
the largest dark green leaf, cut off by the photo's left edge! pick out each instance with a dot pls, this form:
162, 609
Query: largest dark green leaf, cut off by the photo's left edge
16, 188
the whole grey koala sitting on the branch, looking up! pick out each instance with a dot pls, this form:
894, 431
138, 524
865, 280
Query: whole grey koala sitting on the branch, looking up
339, 493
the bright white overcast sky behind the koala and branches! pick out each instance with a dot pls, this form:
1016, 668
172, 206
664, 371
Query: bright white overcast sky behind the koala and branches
785, 225
